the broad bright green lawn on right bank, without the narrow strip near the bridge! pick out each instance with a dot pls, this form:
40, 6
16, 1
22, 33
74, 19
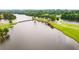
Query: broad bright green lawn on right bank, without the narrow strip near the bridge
67, 30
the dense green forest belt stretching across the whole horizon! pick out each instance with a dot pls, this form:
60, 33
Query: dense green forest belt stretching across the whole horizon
71, 15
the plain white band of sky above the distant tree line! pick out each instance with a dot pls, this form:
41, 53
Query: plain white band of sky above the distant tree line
39, 4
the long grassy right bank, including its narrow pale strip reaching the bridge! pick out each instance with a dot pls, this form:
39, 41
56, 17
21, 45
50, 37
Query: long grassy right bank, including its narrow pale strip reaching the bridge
70, 30
